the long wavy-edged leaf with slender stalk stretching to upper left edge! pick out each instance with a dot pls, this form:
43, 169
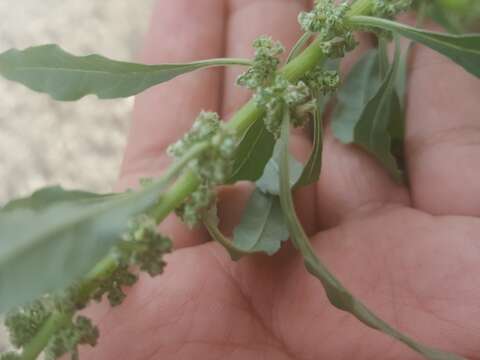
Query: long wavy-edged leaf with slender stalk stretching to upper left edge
49, 69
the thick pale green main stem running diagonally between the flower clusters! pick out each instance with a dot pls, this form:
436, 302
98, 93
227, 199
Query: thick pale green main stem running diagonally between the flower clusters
189, 181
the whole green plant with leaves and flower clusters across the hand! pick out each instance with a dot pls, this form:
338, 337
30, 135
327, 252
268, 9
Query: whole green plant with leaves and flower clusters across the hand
60, 249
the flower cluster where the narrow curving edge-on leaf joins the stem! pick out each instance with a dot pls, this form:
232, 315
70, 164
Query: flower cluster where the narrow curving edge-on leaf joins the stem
277, 97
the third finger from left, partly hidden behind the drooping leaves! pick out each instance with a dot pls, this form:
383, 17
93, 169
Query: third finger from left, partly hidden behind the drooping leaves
351, 178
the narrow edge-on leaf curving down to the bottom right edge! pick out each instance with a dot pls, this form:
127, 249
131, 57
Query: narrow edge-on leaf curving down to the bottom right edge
337, 294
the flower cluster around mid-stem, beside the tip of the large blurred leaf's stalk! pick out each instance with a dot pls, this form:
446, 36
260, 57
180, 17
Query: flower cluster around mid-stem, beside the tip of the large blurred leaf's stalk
213, 167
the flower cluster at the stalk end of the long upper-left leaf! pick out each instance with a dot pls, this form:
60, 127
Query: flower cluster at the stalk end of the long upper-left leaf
265, 63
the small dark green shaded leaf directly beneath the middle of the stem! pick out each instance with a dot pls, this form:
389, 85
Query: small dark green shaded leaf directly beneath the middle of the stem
253, 153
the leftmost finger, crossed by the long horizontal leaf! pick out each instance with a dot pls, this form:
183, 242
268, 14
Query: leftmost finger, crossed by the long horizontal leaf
181, 31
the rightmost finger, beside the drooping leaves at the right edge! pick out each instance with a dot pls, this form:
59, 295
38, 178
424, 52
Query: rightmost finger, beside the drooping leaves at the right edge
443, 136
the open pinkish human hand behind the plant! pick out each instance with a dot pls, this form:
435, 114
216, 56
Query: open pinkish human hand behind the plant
412, 255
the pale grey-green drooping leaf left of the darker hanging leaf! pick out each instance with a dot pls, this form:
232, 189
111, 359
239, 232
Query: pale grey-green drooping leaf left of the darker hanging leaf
359, 88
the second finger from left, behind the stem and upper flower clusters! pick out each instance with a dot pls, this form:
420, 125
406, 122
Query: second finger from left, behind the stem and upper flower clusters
248, 20
